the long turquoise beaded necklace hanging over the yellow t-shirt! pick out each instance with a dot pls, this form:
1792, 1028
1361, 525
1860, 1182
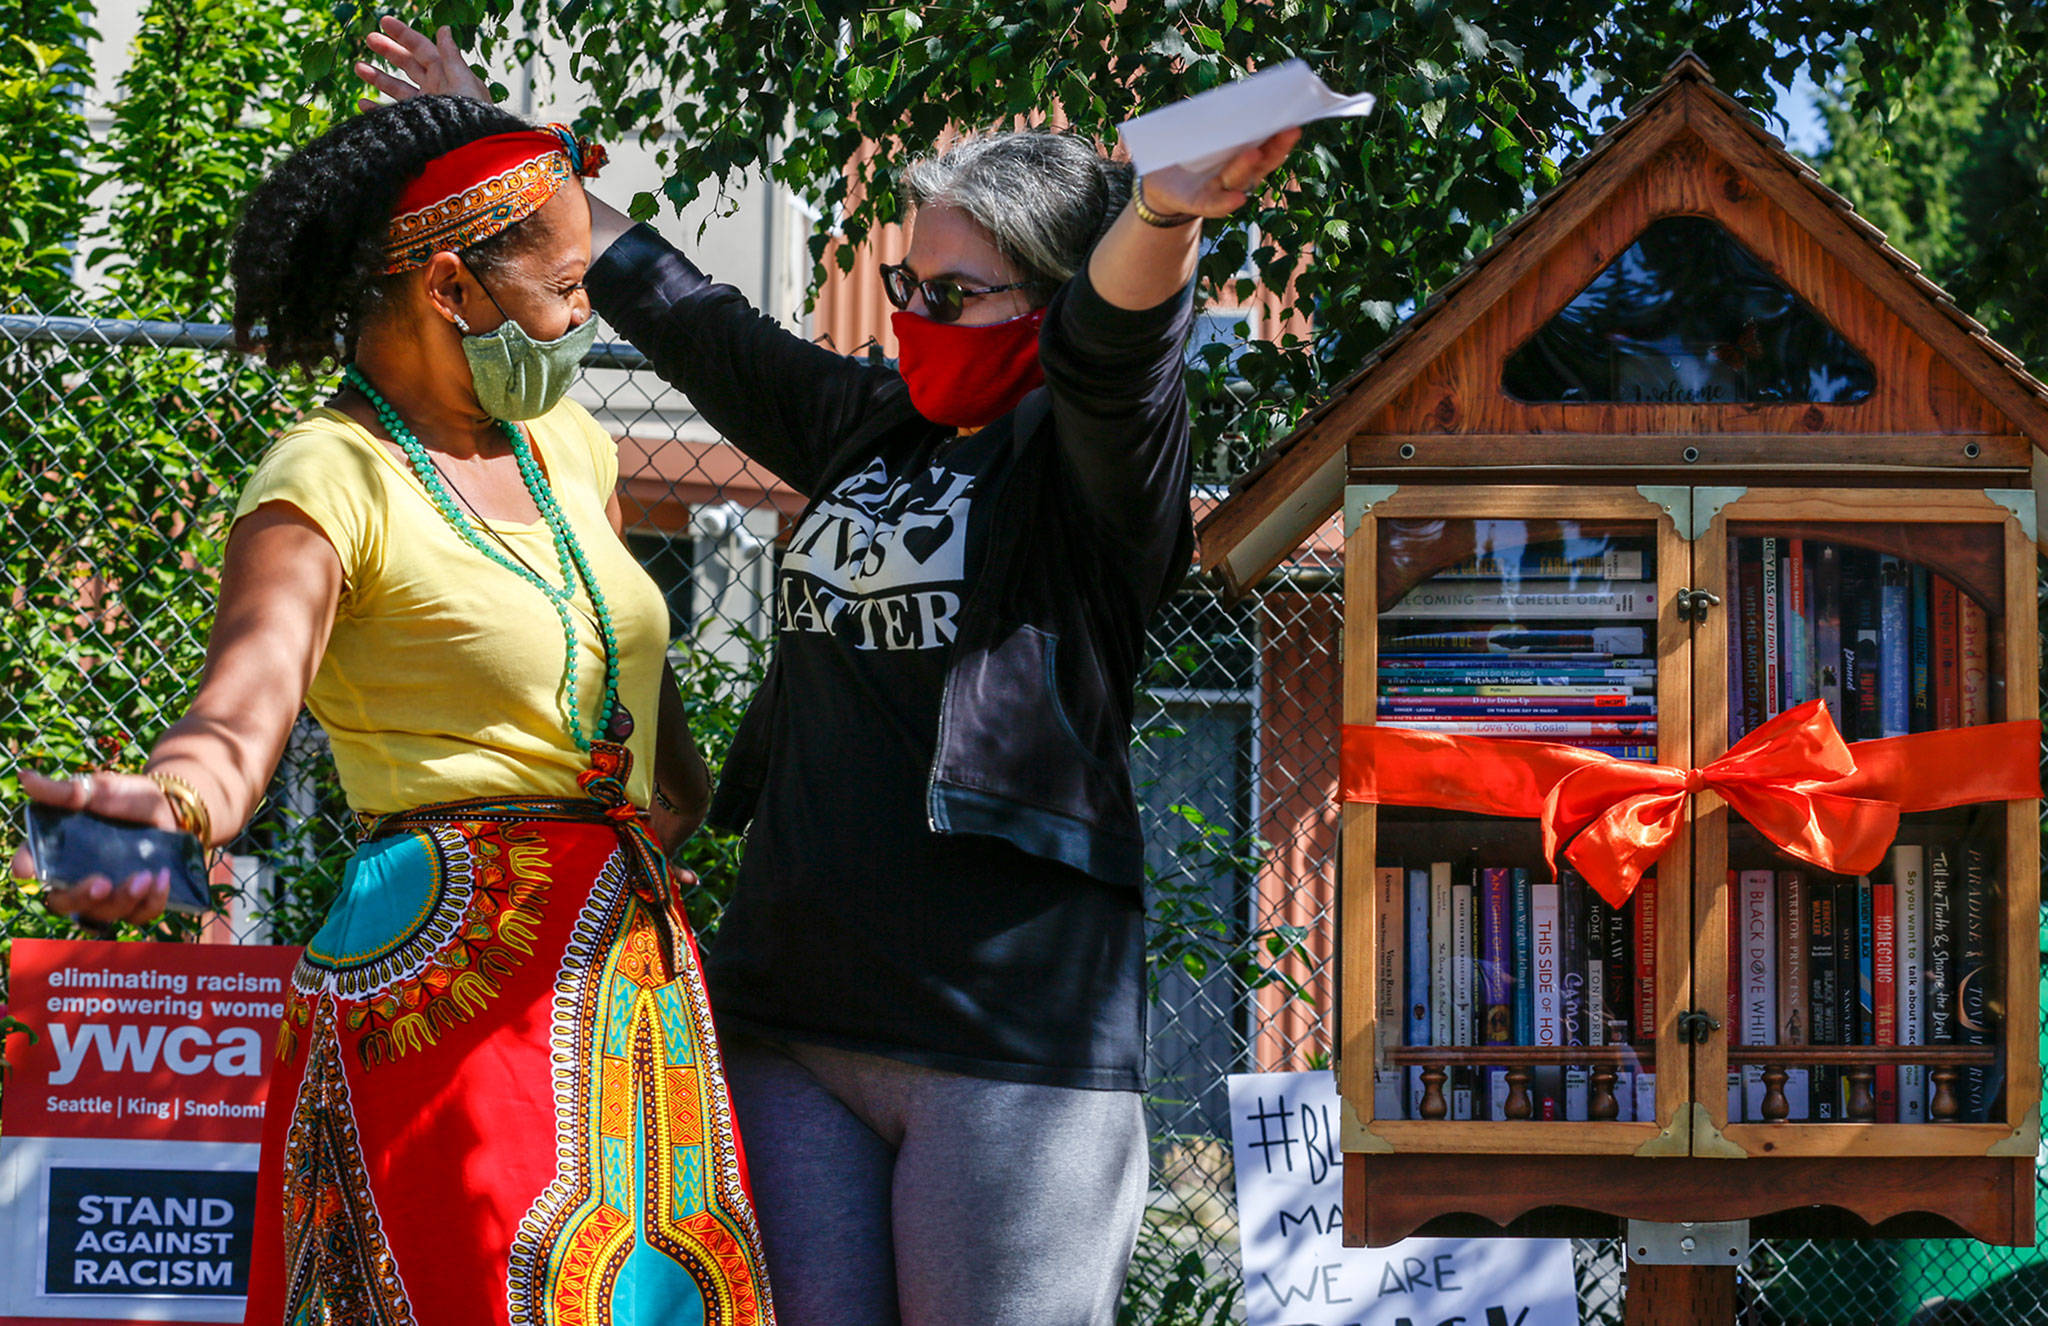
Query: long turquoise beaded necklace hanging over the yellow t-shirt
613, 718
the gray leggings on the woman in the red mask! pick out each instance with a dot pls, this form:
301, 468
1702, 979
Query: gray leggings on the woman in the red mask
894, 1194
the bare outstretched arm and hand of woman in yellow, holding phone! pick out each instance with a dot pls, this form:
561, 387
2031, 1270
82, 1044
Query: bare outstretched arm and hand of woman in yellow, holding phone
280, 591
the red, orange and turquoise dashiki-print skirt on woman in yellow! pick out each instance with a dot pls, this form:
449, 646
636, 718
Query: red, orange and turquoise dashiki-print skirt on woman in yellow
499, 1095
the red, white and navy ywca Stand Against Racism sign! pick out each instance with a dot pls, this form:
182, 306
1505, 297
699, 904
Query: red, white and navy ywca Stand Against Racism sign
130, 1128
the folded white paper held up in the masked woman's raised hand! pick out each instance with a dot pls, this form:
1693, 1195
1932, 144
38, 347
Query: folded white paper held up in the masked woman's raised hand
1215, 126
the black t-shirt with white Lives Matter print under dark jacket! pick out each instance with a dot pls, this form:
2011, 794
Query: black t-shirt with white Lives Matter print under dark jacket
855, 925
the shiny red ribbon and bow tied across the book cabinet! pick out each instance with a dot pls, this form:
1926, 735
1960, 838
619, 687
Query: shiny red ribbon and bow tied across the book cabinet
1795, 780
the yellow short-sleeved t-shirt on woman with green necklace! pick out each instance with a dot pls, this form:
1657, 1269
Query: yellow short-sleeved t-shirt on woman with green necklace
443, 677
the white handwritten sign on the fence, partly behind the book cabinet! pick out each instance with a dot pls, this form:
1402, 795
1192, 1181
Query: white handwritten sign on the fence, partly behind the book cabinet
1291, 1231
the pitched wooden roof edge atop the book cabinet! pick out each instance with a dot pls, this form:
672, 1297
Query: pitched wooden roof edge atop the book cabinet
1299, 483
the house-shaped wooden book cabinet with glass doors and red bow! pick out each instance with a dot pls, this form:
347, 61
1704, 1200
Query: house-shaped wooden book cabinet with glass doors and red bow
1691, 755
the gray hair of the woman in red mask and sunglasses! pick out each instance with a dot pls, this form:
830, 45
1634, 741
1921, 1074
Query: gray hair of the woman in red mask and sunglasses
1043, 198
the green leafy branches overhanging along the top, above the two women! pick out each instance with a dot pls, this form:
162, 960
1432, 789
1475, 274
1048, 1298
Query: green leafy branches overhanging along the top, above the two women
1480, 108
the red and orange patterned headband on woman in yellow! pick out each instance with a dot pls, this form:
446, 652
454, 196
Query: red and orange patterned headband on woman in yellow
480, 190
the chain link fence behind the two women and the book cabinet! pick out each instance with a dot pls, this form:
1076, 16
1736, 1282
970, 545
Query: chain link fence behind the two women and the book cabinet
126, 444
